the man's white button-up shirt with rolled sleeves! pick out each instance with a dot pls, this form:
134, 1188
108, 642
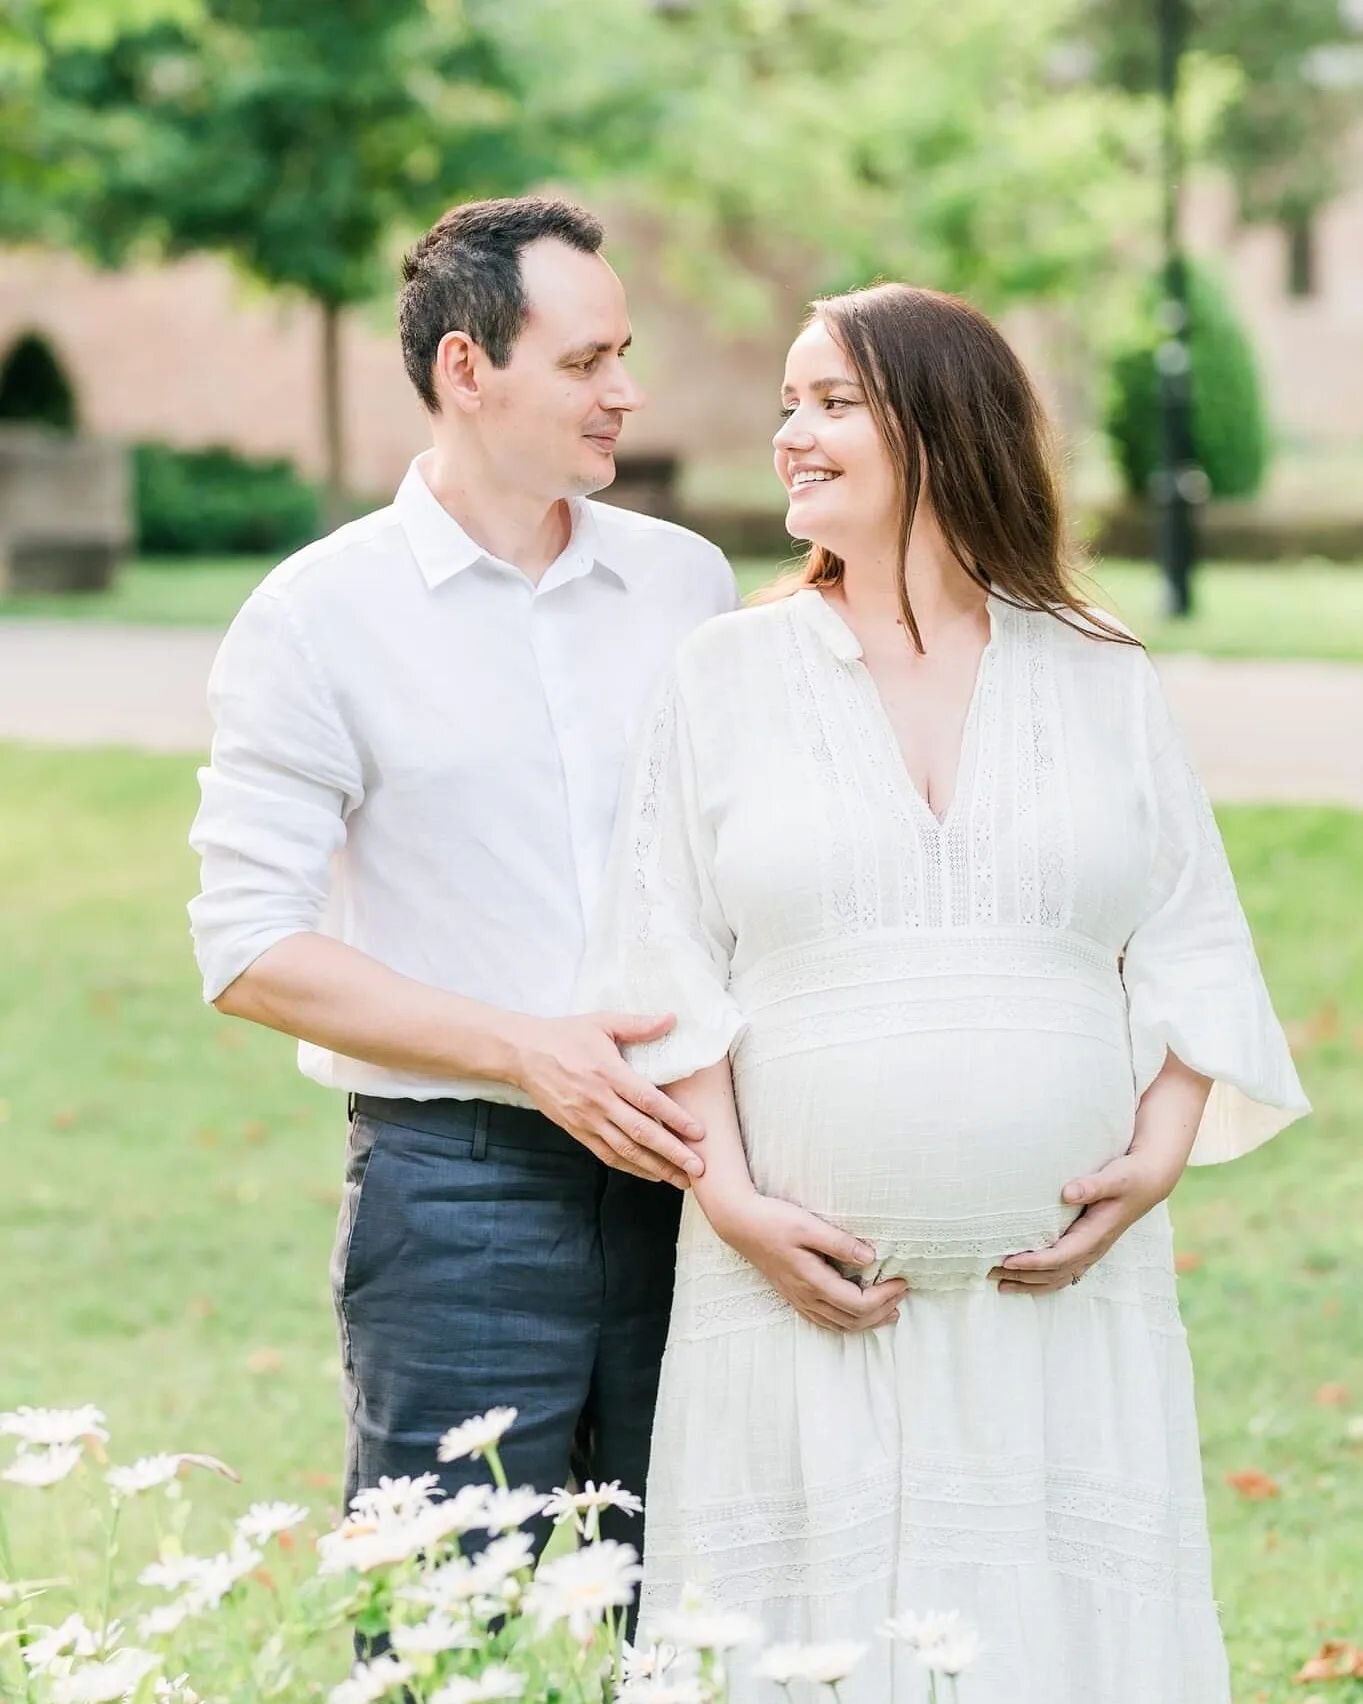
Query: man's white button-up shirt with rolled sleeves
418, 752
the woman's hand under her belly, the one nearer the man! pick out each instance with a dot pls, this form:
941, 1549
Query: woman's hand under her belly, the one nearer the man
793, 1250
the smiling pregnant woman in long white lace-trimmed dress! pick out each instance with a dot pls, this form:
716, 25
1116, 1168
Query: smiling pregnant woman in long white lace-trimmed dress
916, 856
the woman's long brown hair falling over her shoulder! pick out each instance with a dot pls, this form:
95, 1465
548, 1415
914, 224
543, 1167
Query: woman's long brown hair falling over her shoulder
958, 413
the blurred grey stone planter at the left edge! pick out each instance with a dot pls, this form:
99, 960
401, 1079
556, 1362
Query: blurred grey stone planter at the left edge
66, 510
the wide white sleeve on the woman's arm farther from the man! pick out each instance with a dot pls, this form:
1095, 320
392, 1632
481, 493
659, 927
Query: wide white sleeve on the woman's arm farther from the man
1192, 974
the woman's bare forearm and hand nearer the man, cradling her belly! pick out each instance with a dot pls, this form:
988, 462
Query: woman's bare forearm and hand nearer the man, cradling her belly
791, 1248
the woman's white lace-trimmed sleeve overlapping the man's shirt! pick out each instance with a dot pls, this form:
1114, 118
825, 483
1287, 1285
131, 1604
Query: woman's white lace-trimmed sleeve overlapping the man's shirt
660, 941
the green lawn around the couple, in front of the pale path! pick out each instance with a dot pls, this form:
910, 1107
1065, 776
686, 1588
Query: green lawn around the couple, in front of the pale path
171, 1185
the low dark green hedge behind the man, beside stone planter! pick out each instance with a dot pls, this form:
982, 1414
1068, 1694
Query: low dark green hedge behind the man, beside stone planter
219, 504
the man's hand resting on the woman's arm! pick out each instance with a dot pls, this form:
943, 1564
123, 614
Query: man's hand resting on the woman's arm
573, 1073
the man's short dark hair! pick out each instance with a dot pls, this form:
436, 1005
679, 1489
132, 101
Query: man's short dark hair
466, 275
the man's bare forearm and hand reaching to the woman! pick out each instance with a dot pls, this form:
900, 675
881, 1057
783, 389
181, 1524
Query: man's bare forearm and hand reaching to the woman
342, 999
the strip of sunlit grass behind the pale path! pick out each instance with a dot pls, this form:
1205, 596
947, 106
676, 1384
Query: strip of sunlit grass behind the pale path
1313, 611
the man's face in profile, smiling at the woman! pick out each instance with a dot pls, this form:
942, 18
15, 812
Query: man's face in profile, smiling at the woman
551, 418
